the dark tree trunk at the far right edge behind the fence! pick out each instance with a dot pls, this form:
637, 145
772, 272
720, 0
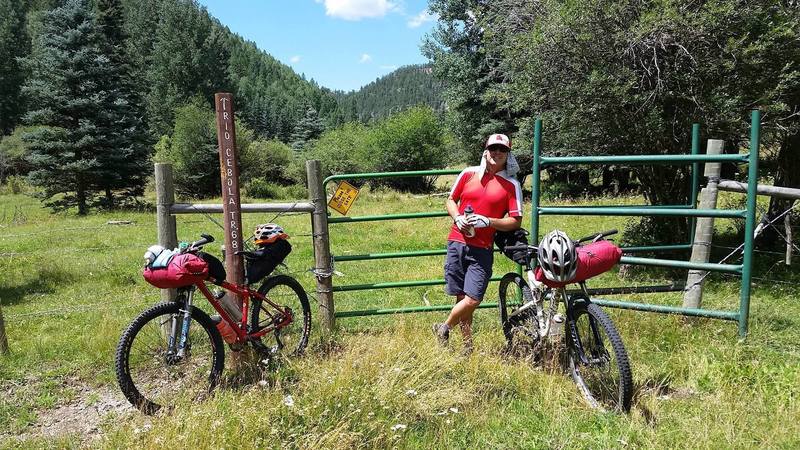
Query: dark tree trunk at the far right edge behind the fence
787, 175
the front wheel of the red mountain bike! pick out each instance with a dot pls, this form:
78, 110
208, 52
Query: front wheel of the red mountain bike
152, 374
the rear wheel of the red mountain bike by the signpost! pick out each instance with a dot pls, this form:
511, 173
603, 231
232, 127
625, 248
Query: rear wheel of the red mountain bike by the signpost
283, 290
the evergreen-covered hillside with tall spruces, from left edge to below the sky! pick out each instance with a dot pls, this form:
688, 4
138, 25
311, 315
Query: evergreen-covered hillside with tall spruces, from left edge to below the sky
91, 91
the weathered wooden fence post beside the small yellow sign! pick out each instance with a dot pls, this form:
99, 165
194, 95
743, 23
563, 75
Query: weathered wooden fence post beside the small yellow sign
322, 249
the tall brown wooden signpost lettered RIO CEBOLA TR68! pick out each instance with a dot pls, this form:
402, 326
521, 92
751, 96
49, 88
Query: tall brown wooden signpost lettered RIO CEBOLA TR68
231, 205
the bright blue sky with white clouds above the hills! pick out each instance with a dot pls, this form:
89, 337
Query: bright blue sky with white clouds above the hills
341, 44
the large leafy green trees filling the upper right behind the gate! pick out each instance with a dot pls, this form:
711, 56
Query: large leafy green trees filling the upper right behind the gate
611, 77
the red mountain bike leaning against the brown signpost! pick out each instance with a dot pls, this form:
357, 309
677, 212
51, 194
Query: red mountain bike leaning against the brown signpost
175, 350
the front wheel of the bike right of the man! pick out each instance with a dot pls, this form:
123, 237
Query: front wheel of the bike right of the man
598, 361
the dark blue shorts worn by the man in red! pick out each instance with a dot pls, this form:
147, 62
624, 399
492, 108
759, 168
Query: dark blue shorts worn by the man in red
467, 270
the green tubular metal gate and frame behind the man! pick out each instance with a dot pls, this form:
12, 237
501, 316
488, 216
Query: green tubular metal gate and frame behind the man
539, 163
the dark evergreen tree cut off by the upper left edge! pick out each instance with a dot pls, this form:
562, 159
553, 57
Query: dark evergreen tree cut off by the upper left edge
13, 44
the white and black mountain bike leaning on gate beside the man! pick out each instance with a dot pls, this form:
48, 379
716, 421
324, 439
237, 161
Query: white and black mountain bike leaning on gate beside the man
595, 355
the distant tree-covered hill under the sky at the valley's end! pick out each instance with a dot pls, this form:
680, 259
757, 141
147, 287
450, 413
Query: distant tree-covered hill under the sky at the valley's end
405, 87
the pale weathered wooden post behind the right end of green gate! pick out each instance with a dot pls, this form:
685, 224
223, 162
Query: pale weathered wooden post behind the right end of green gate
693, 296
